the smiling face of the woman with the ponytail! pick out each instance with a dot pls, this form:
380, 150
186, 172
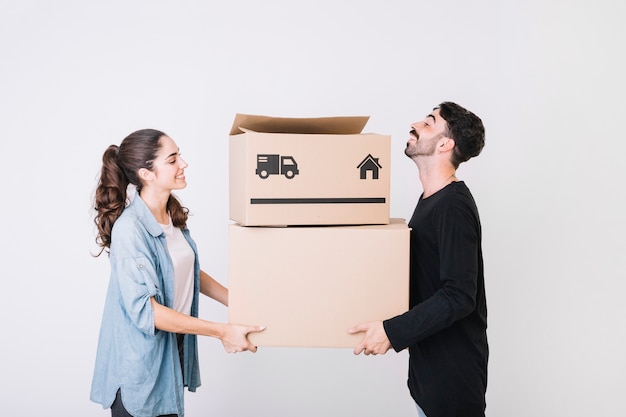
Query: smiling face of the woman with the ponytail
168, 167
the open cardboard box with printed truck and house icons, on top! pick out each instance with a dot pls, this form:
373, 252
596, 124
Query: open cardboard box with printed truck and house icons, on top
311, 171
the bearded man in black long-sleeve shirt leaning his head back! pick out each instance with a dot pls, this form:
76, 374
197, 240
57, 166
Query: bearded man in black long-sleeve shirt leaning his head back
446, 326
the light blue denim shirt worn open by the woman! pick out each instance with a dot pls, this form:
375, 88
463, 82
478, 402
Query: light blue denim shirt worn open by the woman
132, 355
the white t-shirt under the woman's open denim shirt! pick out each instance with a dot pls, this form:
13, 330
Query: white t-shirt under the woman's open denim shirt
183, 259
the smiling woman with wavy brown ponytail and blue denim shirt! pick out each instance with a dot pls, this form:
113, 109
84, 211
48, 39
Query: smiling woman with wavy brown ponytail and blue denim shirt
147, 349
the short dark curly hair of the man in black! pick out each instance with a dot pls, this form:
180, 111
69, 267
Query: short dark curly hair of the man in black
465, 128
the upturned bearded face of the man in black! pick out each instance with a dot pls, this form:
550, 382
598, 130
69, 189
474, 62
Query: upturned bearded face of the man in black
424, 135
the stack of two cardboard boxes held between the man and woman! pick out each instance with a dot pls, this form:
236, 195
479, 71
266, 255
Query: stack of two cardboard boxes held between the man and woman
313, 250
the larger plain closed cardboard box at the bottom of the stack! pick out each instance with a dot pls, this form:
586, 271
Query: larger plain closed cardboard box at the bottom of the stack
309, 285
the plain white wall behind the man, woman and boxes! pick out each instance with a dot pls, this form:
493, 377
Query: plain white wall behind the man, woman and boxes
545, 76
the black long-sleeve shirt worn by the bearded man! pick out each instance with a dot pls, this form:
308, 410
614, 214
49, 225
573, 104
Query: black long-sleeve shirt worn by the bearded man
446, 326
